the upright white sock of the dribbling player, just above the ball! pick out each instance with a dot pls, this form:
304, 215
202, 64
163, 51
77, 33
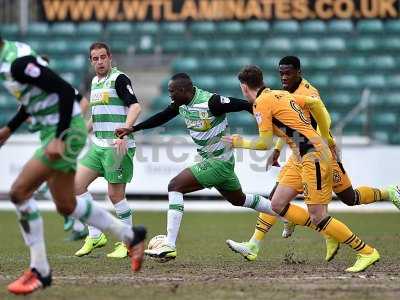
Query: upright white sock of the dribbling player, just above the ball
175, 213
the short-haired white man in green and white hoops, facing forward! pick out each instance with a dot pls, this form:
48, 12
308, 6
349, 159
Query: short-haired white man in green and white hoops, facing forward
113, 104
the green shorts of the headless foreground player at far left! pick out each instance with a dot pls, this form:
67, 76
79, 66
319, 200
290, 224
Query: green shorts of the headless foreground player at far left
74, 142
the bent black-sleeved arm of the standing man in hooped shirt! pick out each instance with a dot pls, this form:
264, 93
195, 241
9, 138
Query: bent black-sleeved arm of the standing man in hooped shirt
123, 87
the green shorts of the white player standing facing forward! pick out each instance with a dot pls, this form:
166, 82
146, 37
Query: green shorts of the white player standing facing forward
106, 162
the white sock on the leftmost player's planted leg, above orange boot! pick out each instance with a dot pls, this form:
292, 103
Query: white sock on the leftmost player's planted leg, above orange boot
31, 224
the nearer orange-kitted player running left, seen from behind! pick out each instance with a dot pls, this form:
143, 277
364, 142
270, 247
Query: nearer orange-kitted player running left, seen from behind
280, 113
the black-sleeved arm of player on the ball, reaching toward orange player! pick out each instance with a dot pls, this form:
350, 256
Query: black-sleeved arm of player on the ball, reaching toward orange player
220, 105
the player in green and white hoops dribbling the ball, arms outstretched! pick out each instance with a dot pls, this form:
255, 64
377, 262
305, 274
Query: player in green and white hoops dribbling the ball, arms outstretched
205, 117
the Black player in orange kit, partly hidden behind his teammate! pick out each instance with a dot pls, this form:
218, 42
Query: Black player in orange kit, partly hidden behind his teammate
292, 81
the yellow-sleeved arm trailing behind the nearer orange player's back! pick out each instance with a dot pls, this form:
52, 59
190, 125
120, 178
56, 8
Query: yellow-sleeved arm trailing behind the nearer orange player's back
320, 114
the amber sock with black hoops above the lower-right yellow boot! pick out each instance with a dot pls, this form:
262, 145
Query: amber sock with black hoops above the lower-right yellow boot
343, 234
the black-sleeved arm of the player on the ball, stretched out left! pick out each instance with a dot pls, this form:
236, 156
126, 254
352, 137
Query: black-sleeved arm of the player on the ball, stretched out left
154, 121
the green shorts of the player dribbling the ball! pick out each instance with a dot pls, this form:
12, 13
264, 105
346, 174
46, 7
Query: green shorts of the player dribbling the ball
216, 173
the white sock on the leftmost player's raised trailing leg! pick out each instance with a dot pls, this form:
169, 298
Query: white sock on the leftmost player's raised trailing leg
92, 214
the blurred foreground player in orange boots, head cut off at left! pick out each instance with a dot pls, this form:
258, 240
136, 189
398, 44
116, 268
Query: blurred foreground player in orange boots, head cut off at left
50, 102
